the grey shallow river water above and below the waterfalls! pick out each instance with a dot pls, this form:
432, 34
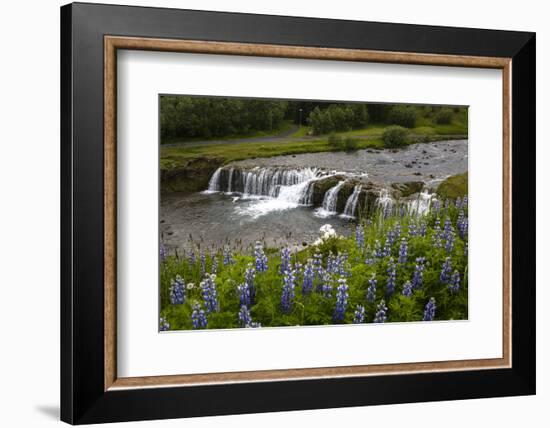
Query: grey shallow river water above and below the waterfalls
216, 218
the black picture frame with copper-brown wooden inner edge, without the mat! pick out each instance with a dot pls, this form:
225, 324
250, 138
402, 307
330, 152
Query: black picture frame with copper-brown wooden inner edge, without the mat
91, 389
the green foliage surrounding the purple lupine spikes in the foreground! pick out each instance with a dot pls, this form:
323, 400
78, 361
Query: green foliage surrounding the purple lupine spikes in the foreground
316, 308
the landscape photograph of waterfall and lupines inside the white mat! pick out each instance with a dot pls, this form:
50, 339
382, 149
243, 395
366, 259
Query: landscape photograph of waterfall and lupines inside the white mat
291, 213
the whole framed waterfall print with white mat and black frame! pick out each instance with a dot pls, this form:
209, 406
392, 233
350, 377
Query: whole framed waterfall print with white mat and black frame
265, 213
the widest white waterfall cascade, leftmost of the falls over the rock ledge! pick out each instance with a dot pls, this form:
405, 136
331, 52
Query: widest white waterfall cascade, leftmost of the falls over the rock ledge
291, 185
